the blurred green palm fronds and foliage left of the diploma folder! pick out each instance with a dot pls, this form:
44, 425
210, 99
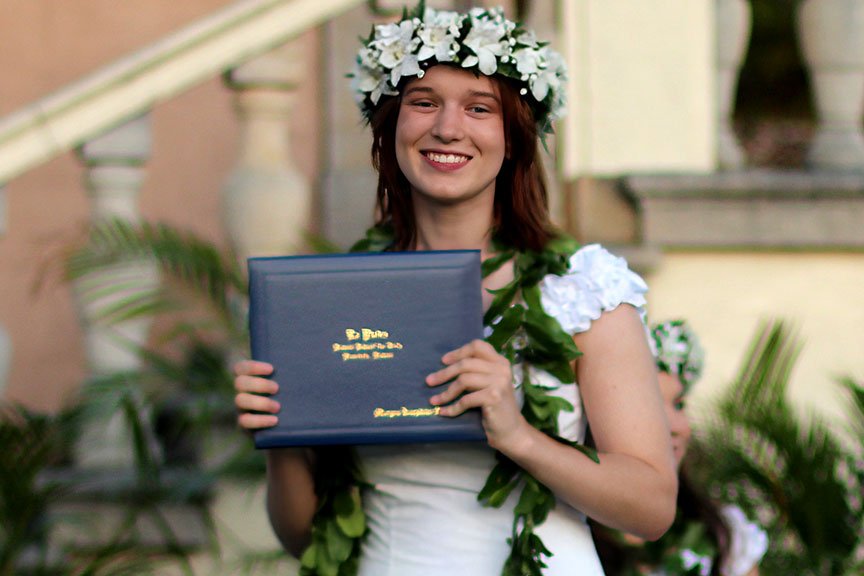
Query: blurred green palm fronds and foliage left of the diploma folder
182, 391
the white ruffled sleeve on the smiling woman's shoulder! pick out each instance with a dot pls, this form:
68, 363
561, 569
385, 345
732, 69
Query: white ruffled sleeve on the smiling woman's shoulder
597, 281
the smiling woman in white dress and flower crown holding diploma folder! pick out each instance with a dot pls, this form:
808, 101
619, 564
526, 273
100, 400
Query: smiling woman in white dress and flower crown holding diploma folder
457, 104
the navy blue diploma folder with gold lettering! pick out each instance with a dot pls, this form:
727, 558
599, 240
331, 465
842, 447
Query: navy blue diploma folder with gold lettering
352, 338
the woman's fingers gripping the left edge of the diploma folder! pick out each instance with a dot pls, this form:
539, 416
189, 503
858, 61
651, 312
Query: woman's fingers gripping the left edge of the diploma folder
256, 411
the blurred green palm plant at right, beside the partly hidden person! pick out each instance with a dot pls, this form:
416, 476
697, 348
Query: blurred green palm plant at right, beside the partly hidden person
794, 473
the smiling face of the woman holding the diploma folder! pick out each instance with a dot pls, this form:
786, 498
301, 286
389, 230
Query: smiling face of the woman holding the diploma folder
450, 136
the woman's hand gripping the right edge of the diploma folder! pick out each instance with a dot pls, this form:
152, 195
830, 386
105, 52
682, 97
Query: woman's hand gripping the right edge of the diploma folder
481, 378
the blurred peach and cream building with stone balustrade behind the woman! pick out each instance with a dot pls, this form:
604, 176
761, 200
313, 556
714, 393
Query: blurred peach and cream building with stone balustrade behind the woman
716, 144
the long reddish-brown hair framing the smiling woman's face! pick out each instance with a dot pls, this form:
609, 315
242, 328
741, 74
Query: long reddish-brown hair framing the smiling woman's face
521, 205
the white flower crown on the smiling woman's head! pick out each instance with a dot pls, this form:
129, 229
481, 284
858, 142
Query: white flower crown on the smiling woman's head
481, 40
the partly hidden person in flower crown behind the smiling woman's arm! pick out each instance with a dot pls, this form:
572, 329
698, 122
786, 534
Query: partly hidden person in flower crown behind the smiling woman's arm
705, 539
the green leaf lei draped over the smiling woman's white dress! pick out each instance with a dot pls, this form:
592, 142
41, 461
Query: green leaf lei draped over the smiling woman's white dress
525, 335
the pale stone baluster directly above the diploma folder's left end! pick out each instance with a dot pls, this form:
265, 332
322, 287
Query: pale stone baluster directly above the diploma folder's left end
266, 201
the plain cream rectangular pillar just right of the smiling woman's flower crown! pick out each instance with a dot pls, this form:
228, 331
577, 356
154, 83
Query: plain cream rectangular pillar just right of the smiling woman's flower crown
638, 106
